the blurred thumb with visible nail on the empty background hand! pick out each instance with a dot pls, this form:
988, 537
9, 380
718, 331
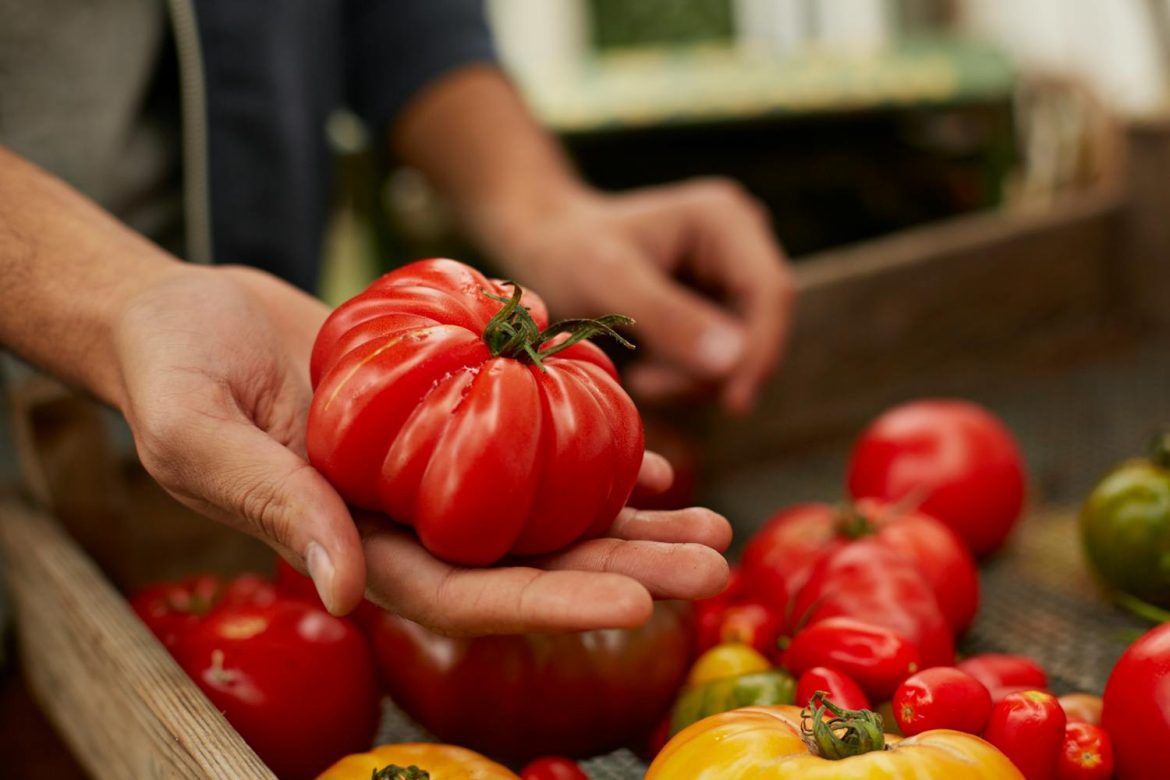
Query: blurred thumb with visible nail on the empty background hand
675, 322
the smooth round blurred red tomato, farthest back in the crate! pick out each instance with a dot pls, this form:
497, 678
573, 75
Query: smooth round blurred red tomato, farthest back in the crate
949, 459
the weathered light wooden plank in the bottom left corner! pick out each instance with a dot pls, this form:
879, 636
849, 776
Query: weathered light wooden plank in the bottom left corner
123, 706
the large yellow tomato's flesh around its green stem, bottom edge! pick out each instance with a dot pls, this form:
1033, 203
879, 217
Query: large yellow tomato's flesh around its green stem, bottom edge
765, 743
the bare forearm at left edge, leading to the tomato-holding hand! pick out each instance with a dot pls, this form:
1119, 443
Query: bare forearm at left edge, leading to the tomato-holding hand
67, 272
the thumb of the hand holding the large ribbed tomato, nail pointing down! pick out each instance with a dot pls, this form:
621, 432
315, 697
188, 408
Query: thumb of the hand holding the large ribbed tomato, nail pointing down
236, 473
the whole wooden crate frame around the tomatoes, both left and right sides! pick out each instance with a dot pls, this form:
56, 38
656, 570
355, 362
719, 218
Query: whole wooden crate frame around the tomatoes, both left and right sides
986, 293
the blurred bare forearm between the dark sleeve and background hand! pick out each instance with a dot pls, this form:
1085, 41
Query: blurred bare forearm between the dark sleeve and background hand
472, 136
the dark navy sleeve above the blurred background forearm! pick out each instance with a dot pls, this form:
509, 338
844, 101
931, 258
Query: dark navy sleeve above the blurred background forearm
394, 49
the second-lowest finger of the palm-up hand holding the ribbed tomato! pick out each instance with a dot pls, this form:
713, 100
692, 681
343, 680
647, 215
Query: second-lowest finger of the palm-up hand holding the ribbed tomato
669, 571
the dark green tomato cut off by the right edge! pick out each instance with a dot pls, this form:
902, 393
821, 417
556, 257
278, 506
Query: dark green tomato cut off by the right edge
1126, 529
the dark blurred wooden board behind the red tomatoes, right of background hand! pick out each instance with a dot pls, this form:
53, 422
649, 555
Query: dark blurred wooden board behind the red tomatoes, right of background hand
897, 316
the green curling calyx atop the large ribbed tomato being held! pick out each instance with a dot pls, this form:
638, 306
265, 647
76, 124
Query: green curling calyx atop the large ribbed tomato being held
514, 334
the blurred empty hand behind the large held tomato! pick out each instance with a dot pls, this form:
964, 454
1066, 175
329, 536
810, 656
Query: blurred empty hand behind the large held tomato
625, 254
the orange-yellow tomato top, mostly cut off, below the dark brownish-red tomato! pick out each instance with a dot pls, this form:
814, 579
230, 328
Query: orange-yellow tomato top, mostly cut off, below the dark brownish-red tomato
439, 762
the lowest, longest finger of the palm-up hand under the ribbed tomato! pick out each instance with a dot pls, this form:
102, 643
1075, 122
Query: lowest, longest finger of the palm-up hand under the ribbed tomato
408, 581
